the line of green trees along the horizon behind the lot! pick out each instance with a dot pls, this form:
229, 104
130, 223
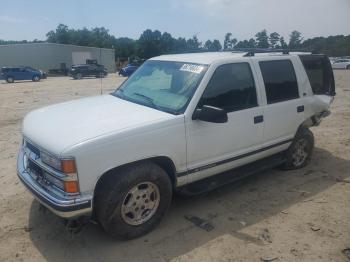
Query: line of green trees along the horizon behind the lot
153, 42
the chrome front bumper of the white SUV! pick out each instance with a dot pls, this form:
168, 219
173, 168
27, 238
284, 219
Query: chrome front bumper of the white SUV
63, 206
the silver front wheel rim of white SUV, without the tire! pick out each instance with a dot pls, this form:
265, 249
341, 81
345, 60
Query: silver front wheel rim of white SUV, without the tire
140, 203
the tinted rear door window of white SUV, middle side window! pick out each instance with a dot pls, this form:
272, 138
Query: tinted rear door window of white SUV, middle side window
280, 80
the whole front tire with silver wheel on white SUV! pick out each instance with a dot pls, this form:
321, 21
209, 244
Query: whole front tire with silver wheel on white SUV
121, 201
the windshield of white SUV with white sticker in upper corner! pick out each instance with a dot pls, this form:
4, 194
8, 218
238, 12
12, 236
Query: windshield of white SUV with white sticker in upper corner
164, 85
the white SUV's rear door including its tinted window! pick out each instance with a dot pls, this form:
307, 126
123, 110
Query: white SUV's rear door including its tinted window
284, 103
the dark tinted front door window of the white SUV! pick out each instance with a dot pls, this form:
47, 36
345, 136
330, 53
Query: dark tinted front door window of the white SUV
231, 88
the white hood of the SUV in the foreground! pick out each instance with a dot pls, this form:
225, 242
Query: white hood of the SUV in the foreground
57, 127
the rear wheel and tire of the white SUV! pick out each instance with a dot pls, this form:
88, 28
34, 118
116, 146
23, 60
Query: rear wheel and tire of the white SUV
300, 151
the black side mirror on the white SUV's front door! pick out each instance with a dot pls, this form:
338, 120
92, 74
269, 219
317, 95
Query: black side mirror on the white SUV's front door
210, 114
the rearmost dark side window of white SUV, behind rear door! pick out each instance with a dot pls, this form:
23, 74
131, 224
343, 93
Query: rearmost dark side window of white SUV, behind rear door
320, 74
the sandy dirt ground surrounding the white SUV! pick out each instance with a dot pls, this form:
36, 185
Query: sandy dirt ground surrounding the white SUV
272, 216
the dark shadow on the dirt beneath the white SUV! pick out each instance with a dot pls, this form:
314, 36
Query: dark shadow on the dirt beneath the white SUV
250, 200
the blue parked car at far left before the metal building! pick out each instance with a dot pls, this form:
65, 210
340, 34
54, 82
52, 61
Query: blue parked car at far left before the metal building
11, 74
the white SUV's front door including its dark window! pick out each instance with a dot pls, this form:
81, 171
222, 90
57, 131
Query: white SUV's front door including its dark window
216, 147
